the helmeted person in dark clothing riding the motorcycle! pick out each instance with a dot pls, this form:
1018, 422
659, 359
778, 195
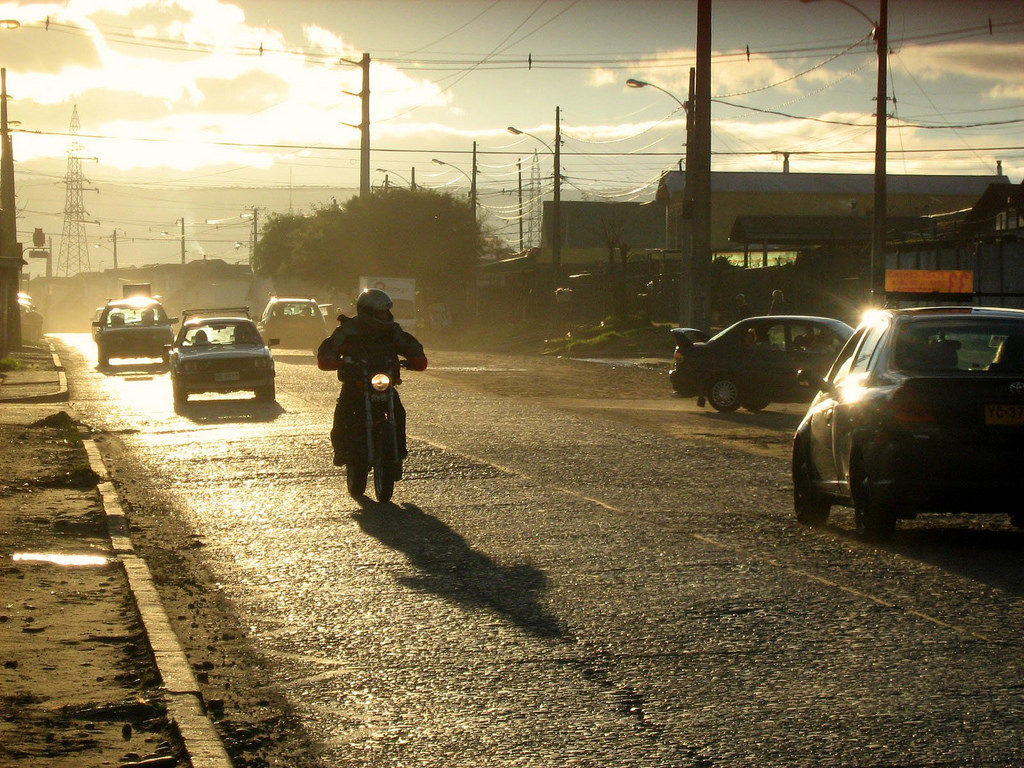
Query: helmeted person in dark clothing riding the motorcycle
372, 336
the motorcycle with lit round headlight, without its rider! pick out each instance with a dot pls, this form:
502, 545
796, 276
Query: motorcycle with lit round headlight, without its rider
377, 382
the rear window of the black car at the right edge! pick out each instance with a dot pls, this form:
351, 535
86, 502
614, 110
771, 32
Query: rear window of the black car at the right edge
983, 345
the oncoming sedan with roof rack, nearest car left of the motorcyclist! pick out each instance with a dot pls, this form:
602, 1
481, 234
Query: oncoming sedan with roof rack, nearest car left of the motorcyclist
221, 351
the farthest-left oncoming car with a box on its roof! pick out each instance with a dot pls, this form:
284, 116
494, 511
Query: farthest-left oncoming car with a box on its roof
137, 327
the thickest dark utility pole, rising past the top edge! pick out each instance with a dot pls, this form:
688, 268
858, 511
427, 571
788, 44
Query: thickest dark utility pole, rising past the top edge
701, 165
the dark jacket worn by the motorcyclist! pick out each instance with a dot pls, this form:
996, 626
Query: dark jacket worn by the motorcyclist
372, 340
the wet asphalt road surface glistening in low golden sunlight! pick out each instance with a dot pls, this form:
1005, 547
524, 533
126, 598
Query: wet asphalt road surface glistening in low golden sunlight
571, 582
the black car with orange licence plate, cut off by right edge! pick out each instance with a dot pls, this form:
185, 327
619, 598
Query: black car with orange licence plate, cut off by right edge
922, 412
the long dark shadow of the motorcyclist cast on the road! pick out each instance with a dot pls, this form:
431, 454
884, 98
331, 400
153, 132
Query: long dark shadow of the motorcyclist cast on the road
454, 571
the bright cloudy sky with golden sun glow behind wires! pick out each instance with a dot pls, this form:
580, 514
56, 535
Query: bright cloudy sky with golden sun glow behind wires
222, 93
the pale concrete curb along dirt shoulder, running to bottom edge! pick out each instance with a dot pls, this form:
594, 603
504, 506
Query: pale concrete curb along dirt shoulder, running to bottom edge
185, 702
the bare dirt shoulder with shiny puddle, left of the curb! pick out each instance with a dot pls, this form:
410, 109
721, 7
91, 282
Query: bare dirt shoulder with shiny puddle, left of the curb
78, 686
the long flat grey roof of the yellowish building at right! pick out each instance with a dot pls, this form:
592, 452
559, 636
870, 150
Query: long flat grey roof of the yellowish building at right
831, 184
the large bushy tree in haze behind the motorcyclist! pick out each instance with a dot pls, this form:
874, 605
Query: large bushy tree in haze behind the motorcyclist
395, 233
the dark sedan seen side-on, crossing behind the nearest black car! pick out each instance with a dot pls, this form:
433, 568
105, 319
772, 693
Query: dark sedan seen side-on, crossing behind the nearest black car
755, 362
